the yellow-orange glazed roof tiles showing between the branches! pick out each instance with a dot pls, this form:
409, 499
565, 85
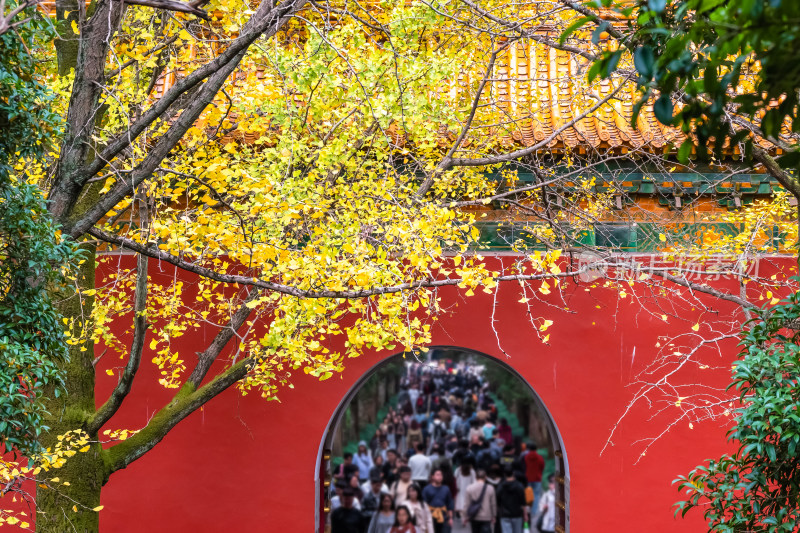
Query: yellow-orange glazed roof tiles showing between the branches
539, 90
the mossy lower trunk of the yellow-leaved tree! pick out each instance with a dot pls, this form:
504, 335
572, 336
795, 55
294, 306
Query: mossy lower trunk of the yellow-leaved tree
69, 508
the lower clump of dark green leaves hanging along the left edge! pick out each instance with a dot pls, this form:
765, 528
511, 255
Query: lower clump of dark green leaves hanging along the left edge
33, 259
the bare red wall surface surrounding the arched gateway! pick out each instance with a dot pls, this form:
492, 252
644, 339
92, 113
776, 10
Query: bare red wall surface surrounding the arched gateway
243, 464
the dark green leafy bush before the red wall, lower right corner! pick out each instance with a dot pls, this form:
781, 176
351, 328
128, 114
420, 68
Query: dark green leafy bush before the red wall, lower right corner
758, 487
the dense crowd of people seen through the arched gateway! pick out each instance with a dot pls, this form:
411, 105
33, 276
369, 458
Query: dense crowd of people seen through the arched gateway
440, 457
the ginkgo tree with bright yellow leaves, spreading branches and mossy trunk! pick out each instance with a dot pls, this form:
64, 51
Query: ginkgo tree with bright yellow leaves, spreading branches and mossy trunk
321, 169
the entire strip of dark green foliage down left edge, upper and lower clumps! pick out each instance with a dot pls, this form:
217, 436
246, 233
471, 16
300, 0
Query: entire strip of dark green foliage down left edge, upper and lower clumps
33, 257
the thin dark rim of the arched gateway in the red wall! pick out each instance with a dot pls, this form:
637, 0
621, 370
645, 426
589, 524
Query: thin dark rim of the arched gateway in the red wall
324, 455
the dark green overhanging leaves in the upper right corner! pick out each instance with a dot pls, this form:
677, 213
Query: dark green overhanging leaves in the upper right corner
715, 58
